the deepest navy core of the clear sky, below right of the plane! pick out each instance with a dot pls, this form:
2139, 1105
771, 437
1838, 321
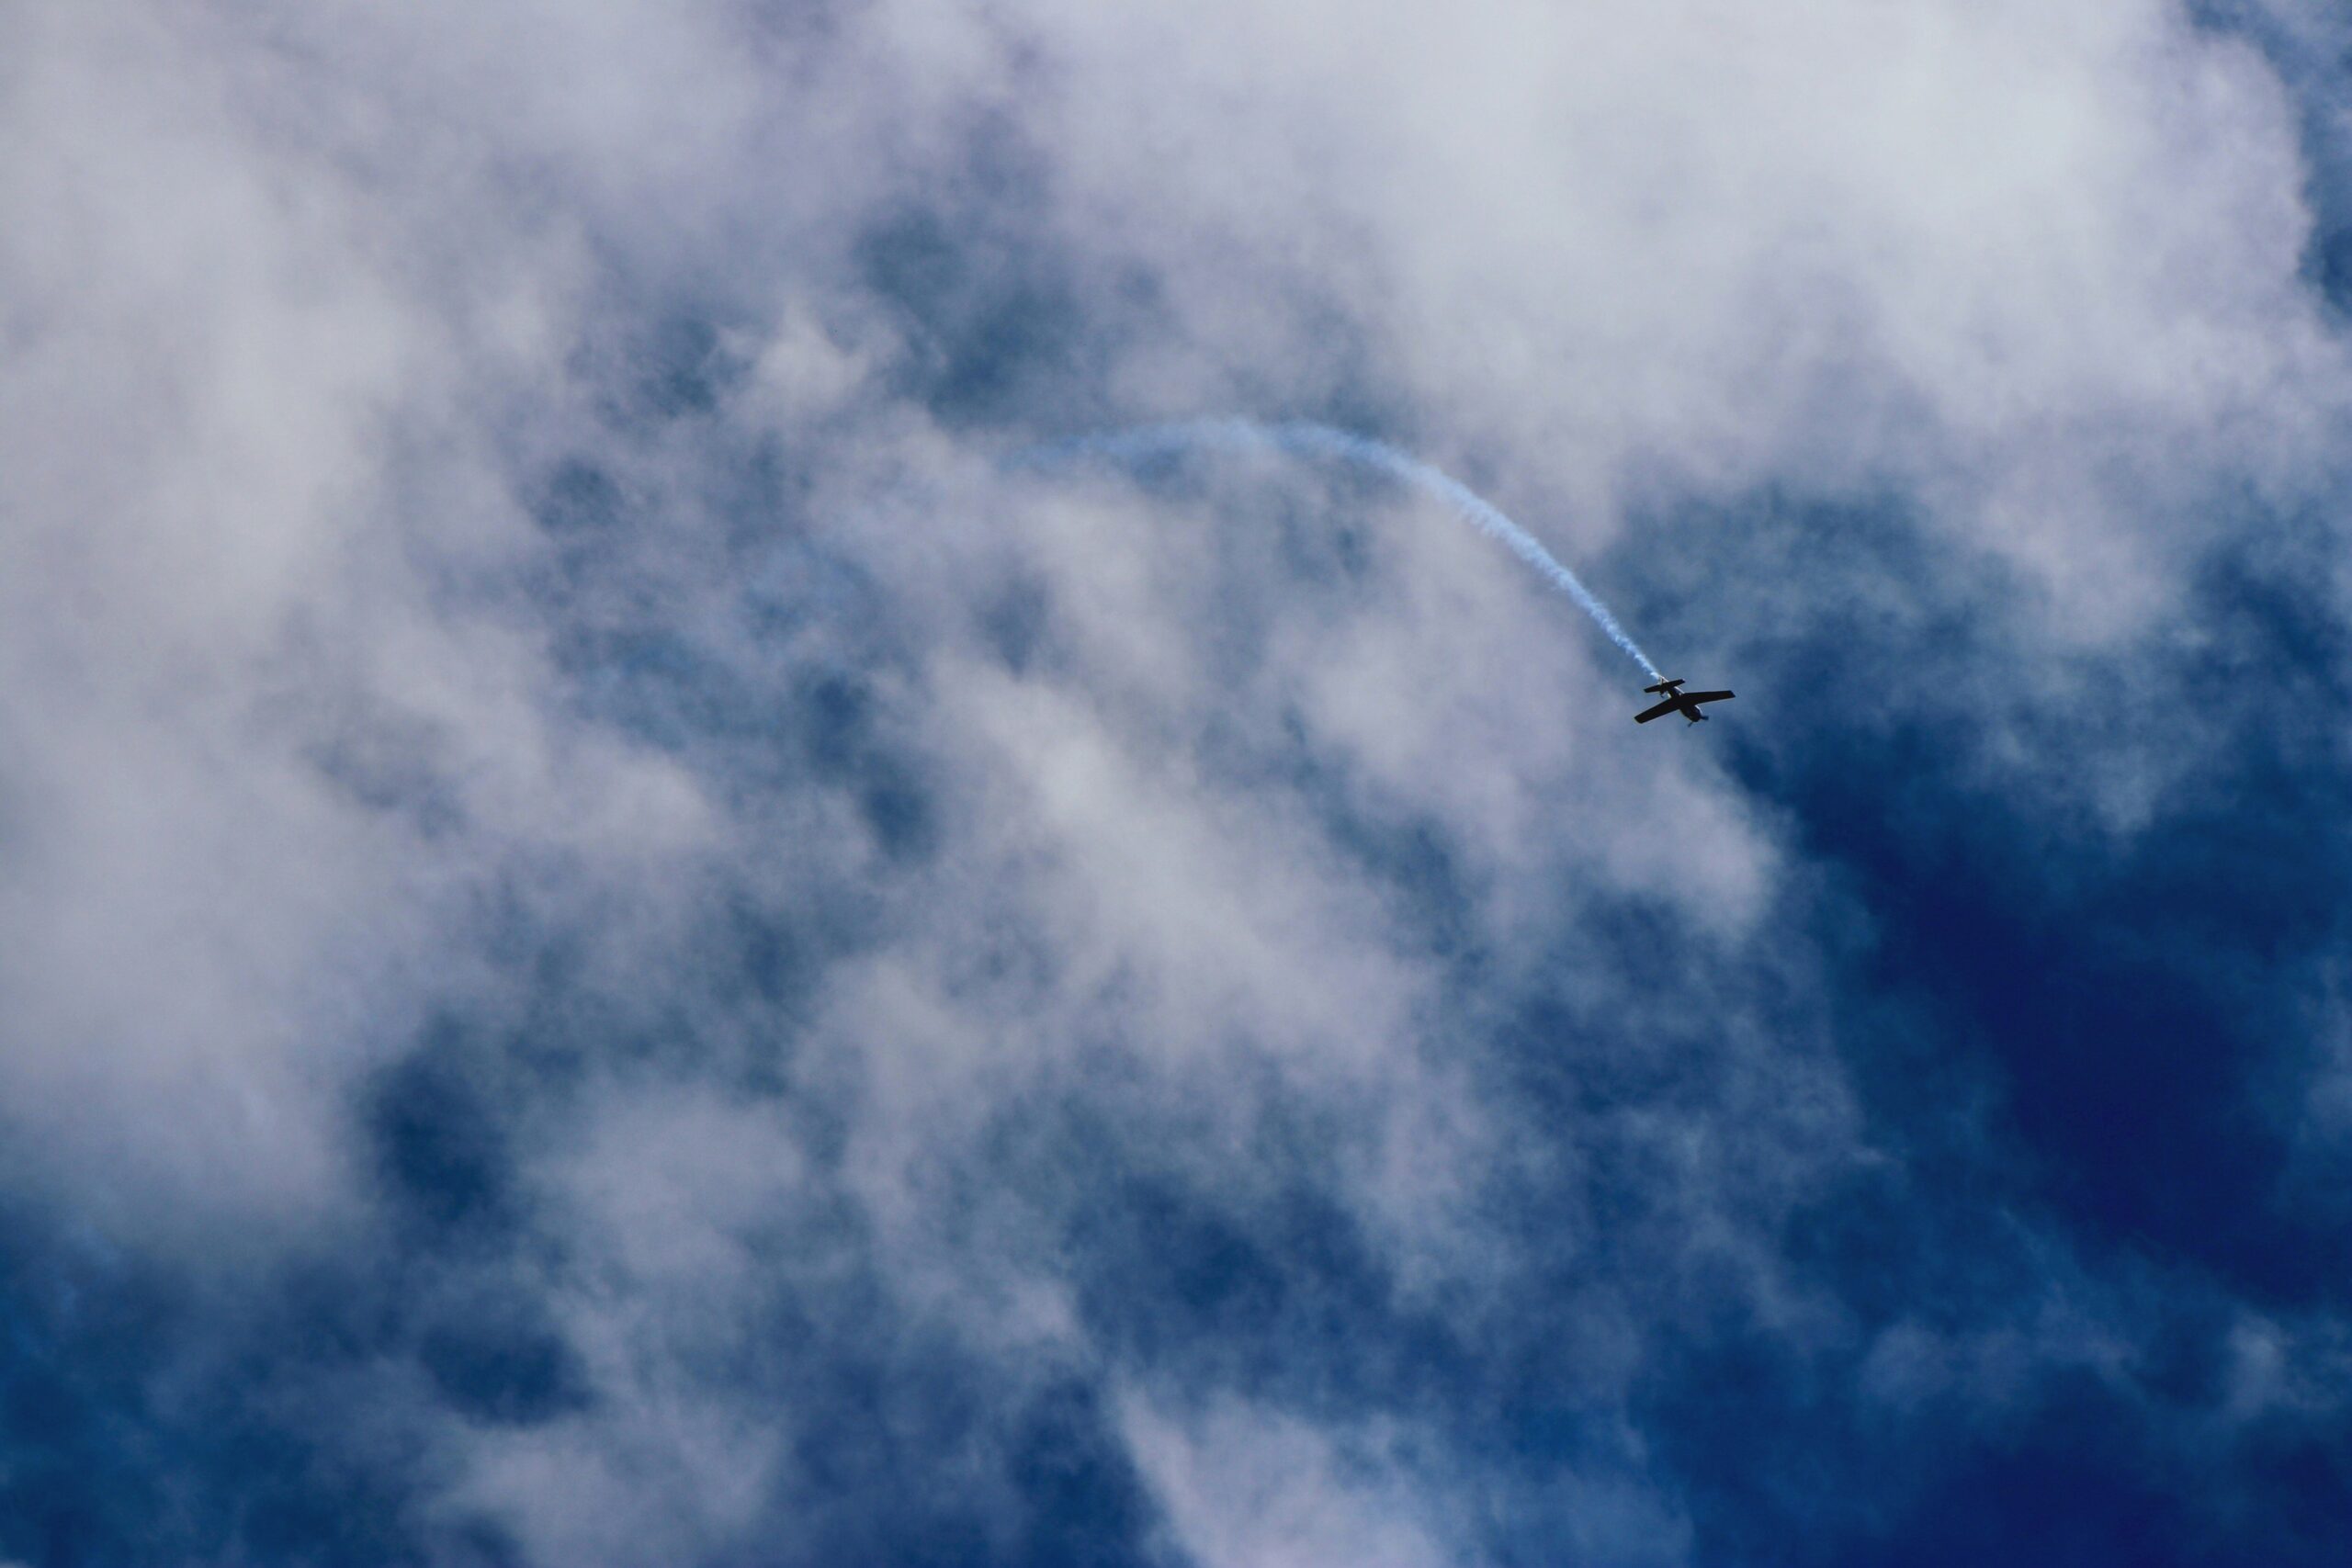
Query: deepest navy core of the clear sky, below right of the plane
2132, 1003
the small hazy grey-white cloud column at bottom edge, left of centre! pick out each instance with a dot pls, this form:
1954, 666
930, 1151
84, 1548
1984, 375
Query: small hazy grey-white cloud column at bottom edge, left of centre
667, 1214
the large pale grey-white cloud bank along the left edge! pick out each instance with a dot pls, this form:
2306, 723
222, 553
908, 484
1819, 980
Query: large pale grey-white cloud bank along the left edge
229, 669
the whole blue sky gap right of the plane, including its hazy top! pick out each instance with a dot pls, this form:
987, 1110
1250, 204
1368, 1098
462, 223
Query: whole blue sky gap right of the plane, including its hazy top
2125, 993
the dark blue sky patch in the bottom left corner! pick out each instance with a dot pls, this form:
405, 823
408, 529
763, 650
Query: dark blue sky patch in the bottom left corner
154, 1416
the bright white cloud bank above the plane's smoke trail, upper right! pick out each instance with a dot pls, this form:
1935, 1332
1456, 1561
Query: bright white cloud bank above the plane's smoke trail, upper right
2036, 260
